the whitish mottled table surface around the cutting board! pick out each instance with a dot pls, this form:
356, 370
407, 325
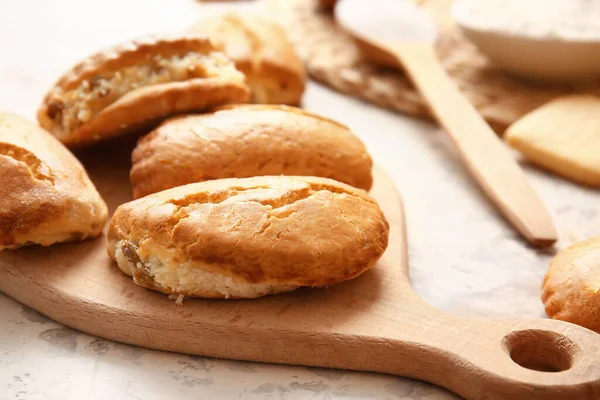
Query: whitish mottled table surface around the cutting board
463, 257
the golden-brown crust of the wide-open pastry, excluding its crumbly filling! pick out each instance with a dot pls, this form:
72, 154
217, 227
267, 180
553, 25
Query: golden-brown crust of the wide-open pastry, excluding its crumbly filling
146, 105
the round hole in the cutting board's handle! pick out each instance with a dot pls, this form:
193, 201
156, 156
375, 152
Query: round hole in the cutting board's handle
541, 350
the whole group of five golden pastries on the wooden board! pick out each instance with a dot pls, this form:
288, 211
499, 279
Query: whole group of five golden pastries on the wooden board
232, 200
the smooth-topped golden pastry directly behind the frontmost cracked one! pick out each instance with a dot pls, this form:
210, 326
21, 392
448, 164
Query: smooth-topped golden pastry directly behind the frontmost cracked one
247, 140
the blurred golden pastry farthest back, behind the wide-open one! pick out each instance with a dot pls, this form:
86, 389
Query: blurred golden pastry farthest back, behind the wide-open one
260, 49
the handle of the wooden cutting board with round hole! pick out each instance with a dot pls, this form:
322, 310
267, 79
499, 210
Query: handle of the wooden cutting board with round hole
502, 359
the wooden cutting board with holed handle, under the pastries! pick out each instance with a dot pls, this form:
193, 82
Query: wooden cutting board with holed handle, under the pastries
372, 323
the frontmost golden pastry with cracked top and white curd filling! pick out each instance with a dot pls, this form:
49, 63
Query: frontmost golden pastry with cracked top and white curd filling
245, 238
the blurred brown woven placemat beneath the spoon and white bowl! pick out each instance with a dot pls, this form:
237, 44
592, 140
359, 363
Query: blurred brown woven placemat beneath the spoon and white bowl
332, 58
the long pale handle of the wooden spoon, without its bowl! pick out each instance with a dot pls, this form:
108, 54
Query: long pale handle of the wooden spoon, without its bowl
489, 161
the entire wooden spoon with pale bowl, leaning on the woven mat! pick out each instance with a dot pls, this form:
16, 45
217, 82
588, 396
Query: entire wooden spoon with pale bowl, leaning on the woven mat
398, 34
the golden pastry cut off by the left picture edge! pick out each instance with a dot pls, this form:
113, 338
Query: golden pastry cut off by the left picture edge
45, 194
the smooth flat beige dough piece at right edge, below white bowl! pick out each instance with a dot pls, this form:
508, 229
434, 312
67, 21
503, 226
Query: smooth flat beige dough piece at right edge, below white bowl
562, 136
